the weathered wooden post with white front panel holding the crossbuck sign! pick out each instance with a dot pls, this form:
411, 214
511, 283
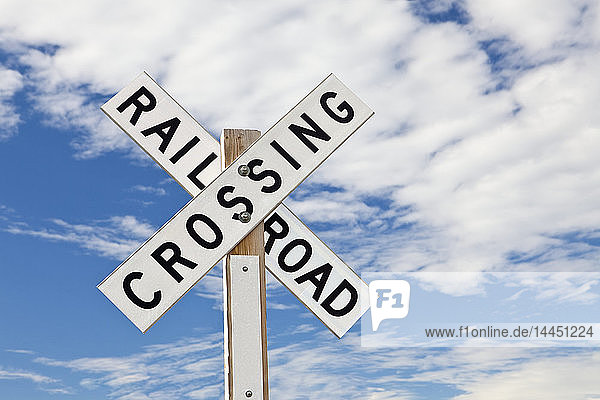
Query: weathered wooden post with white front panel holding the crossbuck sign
246, 366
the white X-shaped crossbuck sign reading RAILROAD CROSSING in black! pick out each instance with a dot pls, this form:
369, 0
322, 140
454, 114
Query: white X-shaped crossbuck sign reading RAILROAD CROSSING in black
228, 204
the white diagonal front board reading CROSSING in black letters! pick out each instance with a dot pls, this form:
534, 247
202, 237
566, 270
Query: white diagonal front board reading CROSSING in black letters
180, 253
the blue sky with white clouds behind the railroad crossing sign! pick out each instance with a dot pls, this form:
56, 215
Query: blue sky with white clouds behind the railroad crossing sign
482, 156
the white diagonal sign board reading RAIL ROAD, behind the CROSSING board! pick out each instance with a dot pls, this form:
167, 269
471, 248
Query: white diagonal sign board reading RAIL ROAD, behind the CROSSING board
185, 150
